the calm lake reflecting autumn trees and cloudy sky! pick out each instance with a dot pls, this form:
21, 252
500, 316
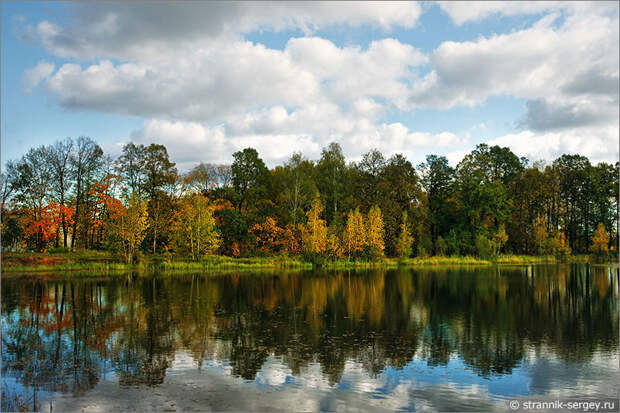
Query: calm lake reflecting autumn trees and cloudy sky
451, 338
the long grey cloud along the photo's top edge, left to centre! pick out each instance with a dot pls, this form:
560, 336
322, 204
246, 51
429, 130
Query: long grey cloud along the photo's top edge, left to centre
138, 30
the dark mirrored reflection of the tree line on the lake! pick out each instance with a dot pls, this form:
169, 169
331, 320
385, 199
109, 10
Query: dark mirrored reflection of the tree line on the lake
67, 335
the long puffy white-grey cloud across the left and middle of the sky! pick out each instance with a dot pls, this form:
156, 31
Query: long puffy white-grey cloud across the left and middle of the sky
226, 78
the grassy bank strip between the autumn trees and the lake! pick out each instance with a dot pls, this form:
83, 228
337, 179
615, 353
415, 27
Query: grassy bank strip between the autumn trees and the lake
96, 261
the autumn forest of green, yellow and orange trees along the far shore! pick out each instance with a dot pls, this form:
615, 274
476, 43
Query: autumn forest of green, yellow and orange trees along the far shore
70, 196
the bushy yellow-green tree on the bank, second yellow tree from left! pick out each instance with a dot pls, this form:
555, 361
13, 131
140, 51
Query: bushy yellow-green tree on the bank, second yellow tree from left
194, 226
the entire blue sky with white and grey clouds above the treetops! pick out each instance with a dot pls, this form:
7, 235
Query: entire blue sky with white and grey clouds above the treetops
209, 79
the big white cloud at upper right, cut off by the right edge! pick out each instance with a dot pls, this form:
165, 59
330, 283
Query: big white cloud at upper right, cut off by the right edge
539, 62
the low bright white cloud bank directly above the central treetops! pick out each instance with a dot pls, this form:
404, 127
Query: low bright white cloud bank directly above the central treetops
192, 142
